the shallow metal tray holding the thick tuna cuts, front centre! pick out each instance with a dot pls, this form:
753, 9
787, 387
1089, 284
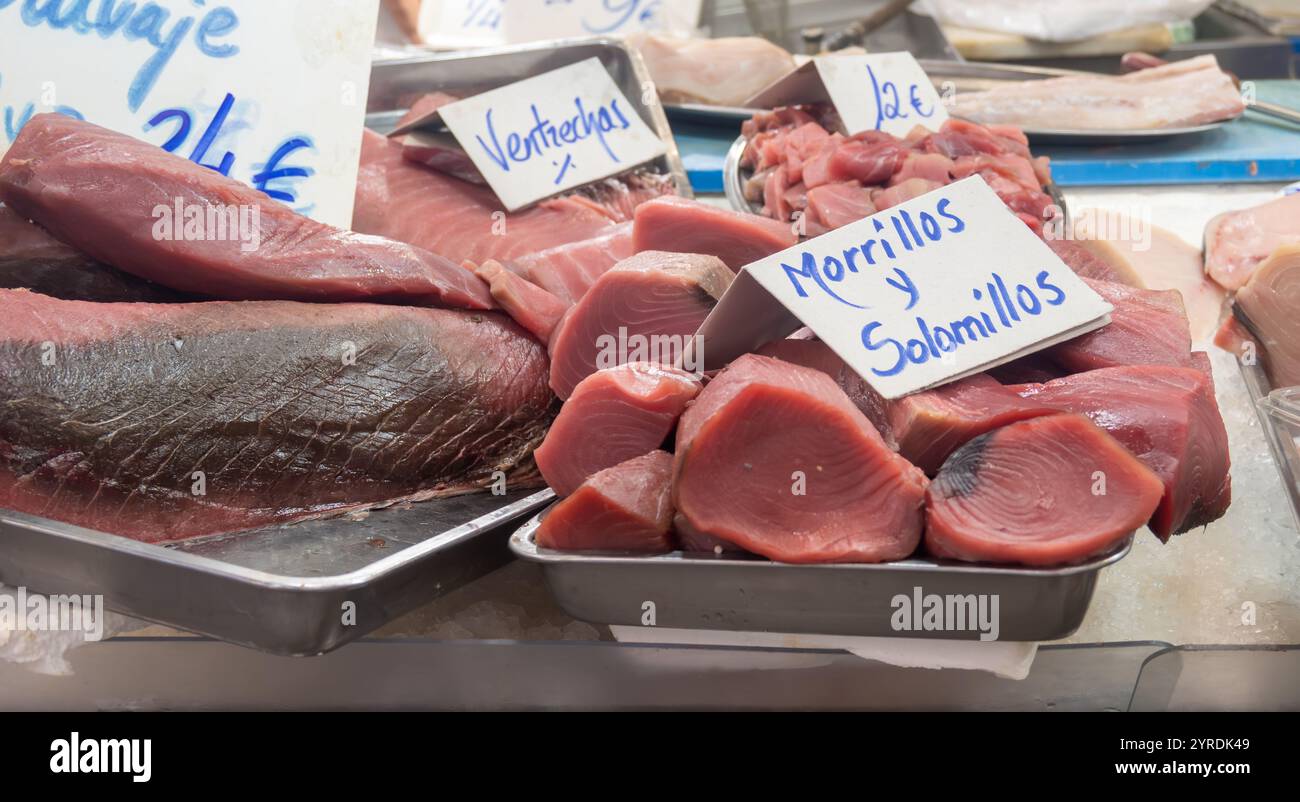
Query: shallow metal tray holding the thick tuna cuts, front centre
705, 592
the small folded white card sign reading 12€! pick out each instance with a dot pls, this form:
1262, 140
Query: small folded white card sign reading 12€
874, 93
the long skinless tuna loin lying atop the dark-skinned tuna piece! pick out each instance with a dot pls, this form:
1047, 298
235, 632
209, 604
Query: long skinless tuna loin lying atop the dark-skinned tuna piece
109, 196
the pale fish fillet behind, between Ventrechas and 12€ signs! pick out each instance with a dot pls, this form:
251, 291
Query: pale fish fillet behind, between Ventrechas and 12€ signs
714, 72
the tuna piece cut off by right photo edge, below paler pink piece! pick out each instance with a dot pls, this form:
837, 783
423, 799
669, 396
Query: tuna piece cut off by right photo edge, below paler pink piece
1272, 304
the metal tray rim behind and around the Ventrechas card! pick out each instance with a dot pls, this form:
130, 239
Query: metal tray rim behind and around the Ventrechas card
395, 85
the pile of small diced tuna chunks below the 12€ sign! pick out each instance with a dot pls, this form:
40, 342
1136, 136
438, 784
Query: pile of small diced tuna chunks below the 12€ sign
801, 168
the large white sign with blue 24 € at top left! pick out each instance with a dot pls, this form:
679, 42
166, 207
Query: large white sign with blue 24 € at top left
271, 94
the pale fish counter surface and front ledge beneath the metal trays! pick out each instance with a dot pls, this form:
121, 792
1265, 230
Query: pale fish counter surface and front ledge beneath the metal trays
1210, 621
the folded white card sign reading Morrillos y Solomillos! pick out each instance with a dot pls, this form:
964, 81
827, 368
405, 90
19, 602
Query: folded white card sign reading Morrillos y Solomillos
935, 289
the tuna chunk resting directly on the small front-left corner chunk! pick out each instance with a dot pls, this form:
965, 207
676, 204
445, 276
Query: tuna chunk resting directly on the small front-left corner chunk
612, 417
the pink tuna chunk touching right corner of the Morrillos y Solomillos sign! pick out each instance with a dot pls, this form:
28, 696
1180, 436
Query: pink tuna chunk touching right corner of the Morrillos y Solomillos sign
1147, 328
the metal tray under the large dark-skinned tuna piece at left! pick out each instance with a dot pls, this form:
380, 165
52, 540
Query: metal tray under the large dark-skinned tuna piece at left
283, 589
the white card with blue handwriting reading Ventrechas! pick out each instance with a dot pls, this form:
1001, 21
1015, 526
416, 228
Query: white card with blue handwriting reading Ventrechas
552, 133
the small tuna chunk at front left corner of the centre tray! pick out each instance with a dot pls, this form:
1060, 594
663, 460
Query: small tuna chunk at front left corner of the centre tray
627, 508
